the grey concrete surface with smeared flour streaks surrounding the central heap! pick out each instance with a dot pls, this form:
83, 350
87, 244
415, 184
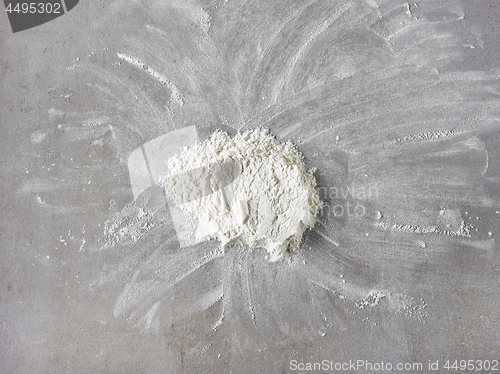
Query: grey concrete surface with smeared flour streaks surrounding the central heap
396, 104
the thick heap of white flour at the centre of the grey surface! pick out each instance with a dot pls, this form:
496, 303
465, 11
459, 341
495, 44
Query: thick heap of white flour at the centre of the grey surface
249, 189
